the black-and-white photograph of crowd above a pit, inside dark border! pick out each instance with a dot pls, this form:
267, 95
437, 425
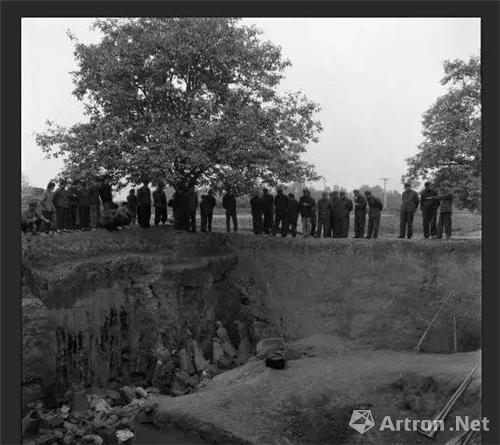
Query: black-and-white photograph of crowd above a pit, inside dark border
251, 230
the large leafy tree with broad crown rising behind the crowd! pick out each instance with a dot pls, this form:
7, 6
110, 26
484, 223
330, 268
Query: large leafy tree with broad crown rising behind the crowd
190, 101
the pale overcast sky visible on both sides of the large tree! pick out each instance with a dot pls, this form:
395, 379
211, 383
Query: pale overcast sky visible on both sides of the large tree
373, 79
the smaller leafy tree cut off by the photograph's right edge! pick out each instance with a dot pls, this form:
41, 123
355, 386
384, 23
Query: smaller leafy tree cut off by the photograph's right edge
450, 154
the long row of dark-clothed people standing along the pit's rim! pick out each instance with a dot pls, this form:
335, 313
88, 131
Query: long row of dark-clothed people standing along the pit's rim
82, 206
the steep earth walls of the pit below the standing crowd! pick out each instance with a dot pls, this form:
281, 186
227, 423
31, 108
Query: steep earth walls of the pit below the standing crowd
93, 320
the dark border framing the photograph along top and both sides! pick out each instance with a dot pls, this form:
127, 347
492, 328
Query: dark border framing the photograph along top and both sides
10, 159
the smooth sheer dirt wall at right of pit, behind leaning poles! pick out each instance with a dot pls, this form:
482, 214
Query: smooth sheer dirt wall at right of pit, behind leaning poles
382, 293
